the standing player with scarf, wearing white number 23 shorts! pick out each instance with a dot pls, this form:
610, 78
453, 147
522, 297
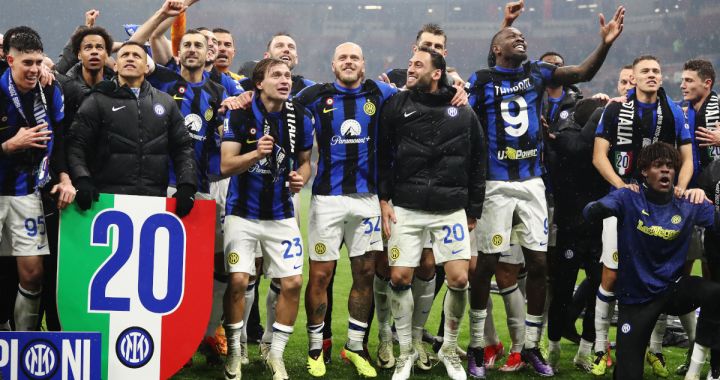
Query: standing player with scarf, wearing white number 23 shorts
258, 150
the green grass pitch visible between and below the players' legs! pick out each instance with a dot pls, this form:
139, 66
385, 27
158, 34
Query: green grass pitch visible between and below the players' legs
296, 352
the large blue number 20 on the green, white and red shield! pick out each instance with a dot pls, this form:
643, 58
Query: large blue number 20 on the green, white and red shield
99, 301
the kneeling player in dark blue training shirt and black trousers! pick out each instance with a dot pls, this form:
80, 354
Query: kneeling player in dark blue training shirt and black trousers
654, 231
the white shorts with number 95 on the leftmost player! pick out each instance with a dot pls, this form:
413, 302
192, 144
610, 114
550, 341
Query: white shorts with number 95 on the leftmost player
22, 225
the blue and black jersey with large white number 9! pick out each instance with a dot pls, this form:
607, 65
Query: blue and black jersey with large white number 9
509, 104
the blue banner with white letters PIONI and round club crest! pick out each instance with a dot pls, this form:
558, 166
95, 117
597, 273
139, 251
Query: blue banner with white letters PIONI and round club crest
50, 355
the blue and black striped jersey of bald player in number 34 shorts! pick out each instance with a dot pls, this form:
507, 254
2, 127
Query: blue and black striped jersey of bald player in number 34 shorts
346, 128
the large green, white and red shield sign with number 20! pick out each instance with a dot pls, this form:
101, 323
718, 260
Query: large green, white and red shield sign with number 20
124, 268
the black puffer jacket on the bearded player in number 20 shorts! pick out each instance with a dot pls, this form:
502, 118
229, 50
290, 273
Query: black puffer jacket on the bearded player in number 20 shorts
432, 155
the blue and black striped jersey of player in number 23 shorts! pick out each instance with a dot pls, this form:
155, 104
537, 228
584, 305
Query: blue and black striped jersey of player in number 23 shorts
260, 192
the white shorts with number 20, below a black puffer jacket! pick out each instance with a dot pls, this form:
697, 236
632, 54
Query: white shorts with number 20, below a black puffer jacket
448, 229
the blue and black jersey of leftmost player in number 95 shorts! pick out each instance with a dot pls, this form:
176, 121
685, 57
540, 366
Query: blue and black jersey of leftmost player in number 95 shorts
19, 171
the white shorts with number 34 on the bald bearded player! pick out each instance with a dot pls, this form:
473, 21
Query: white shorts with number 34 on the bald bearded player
334, 219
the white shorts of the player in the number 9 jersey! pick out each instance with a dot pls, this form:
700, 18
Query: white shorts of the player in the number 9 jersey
522, 201
